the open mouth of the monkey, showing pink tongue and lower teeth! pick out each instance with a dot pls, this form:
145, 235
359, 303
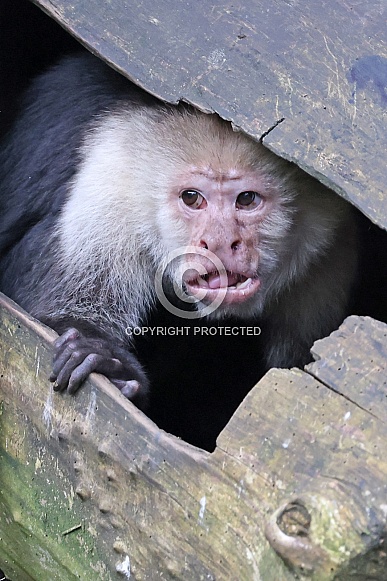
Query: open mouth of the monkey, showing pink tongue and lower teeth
238, 289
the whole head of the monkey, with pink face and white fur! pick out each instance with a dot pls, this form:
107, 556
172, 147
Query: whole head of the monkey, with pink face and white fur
187, 185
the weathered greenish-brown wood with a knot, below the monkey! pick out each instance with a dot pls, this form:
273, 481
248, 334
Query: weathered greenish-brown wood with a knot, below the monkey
90, 488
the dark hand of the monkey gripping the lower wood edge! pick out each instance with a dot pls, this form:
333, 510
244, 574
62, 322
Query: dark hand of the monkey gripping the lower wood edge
76, 356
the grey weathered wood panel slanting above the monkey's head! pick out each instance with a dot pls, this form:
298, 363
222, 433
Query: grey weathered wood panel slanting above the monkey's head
311, 77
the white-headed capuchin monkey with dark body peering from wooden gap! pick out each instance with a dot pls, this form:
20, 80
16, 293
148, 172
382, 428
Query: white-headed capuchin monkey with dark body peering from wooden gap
110, 198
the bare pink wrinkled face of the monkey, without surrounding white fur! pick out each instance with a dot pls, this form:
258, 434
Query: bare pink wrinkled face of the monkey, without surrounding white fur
223, 212
